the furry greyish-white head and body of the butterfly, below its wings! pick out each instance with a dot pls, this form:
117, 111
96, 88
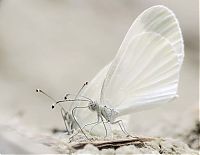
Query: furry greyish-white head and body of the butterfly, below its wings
109, 114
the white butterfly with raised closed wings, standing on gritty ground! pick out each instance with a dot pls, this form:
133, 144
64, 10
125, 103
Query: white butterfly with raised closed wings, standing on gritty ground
144, 72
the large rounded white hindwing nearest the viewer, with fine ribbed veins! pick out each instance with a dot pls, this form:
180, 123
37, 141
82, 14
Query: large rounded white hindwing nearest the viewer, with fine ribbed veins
146, 73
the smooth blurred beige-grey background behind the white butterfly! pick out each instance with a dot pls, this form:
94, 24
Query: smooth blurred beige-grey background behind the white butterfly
58, 45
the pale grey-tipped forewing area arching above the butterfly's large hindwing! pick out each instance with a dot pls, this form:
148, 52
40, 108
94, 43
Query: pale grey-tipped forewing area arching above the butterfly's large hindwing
158, 19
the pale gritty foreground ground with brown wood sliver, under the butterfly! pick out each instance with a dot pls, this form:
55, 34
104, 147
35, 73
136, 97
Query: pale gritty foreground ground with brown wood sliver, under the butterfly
46, 142
